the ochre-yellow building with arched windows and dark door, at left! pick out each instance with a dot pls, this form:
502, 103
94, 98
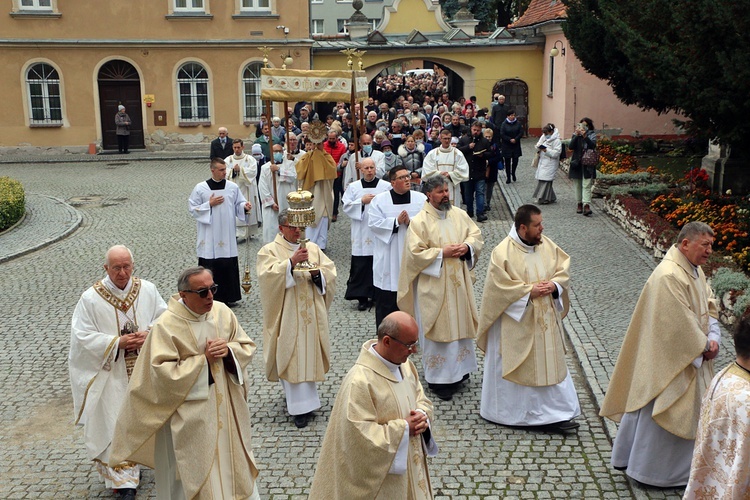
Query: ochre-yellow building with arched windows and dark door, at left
182, 68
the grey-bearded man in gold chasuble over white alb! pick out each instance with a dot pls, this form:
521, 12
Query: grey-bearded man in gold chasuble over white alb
436, 286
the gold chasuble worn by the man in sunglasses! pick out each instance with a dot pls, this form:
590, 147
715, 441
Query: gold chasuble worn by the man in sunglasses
209, 424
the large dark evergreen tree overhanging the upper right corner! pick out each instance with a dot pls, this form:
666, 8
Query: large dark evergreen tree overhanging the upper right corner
685, 56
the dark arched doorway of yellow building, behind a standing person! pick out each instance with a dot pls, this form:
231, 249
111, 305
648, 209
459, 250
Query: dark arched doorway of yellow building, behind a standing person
119, 83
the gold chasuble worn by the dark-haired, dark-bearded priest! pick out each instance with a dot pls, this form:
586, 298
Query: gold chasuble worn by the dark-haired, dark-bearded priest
532, 349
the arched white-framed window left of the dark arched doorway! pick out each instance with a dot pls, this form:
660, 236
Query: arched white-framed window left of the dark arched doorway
45, 103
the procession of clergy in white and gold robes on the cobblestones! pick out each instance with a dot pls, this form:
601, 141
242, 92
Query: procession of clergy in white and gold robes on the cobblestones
164, 385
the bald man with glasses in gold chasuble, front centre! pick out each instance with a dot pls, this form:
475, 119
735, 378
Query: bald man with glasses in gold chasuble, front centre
379, 434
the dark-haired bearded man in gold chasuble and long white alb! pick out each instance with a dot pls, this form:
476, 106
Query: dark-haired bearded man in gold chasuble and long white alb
526, 381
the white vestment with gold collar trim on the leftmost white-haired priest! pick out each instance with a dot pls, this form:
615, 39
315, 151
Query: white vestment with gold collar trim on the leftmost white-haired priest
97, 367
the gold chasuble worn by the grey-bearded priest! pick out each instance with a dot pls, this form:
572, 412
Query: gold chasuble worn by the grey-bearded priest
446, 303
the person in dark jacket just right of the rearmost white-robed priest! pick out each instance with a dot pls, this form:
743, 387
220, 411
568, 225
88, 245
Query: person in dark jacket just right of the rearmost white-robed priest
477, 150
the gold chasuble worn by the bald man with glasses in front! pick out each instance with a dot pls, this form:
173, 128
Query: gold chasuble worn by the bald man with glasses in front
364, 432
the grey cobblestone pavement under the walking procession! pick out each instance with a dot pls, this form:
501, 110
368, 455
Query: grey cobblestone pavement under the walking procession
143, 205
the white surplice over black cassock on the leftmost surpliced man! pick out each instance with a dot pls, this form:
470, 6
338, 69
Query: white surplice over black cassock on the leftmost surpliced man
216, 225
